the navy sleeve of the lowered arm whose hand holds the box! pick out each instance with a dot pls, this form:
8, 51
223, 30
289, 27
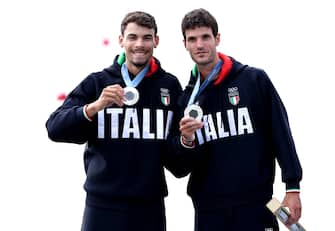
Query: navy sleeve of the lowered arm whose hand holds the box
282, 140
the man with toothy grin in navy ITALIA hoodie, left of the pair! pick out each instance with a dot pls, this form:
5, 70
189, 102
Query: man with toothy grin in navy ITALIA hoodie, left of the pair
123, 114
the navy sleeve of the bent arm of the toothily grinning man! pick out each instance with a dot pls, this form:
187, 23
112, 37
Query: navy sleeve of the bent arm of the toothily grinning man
68, 123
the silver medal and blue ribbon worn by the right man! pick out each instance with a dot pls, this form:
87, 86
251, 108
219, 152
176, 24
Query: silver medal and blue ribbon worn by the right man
194, 110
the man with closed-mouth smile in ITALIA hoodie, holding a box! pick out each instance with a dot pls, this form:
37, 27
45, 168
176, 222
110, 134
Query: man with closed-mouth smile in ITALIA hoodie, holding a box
245, 130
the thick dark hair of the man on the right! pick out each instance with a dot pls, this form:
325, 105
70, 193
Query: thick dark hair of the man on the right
199, 18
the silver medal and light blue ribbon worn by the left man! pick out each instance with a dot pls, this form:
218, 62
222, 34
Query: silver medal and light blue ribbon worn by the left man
131, 94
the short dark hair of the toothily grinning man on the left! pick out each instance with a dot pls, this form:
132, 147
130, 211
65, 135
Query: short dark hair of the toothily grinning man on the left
140, 18
